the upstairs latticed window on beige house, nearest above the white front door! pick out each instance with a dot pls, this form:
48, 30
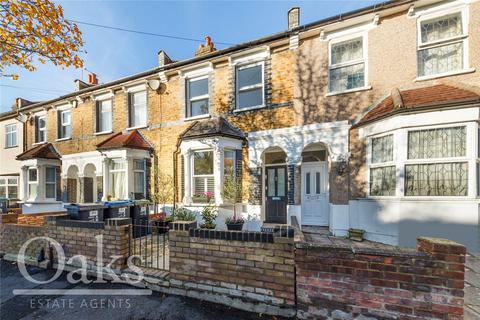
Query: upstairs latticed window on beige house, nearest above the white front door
347, 65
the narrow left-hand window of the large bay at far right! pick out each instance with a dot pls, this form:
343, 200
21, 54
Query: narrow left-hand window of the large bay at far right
382, 168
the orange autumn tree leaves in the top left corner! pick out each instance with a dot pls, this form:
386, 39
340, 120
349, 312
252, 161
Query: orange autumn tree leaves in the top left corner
37, 28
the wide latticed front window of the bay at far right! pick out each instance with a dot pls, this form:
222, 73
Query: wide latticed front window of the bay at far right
437, 164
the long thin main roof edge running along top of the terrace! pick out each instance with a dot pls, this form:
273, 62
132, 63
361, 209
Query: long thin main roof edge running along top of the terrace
246, 45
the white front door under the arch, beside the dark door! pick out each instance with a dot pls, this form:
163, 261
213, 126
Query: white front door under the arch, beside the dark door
315, 209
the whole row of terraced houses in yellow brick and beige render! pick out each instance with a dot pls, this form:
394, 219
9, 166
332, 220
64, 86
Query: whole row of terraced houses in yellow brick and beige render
365, 120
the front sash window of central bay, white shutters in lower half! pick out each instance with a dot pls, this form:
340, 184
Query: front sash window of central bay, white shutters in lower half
202, 178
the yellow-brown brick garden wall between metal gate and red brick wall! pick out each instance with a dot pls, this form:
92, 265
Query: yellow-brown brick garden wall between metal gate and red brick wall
254, 274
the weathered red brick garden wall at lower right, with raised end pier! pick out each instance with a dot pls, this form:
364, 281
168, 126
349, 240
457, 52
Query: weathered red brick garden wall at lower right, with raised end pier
407, 284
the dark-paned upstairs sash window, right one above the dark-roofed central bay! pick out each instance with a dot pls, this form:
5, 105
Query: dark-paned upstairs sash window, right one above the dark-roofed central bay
250, 88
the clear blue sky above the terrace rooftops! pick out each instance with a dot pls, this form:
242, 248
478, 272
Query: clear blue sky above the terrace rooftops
113, 54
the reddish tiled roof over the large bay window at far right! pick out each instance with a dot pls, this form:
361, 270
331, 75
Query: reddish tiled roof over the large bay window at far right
416, 99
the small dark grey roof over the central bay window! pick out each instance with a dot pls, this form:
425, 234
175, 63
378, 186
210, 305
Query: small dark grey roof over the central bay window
212, 127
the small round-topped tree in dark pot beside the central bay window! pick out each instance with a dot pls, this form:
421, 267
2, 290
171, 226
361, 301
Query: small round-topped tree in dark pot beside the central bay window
231, 193
